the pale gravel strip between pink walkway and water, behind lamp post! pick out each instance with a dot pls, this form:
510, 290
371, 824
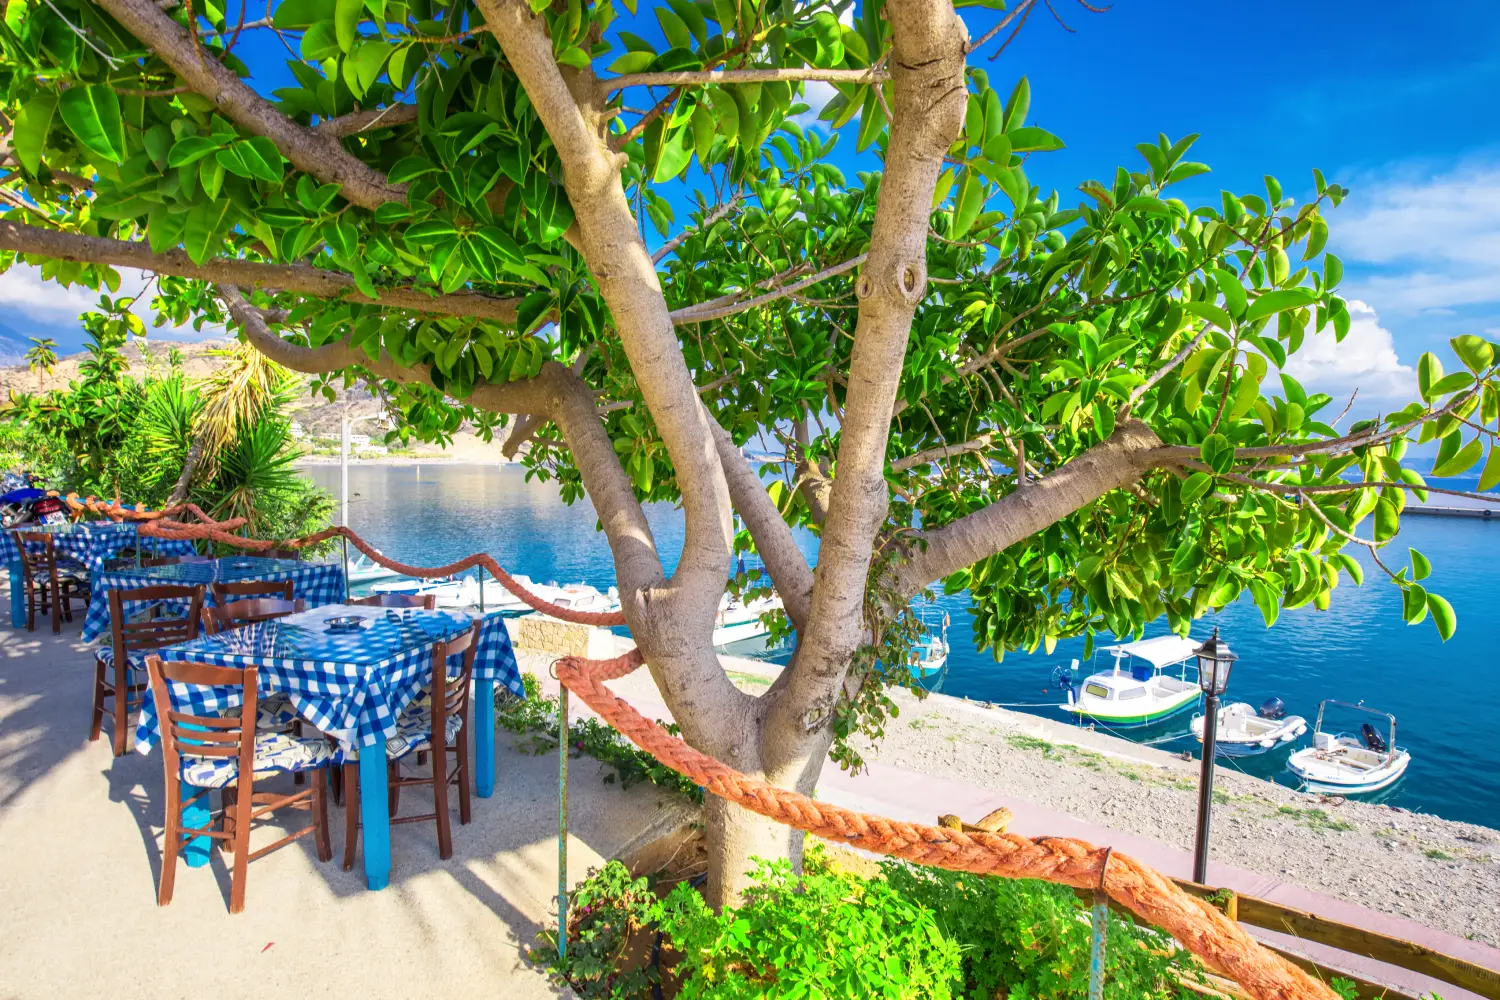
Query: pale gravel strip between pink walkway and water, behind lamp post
1435, 872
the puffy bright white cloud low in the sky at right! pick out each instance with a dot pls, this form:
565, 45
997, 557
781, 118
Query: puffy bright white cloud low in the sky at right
1366, 361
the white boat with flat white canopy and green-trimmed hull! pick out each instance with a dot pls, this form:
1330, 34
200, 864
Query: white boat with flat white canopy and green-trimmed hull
1139, 690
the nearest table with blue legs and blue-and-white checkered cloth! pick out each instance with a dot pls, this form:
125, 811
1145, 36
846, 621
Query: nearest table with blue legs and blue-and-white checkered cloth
353, 687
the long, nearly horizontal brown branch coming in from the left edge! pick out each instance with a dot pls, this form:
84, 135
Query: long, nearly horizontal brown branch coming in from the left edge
290, 278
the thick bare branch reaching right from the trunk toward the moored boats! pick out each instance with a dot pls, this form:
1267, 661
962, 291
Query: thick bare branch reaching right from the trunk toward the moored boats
1114, 464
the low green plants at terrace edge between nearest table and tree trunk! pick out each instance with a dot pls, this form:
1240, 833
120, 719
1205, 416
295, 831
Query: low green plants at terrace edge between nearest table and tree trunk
538, 717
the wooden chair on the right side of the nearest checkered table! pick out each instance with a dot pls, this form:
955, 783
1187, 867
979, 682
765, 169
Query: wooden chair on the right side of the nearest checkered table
440, 729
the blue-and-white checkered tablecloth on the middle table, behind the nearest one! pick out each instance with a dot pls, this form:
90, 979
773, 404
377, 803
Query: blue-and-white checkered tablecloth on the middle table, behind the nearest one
316, 582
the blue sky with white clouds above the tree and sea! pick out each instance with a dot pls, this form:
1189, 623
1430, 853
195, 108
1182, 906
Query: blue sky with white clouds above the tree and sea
1391, 100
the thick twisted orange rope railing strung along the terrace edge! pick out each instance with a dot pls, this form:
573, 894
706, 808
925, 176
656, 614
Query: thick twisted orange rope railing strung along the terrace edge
1217, 941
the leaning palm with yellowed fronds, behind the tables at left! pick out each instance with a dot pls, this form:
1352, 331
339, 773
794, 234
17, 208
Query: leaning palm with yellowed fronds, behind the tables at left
242, 391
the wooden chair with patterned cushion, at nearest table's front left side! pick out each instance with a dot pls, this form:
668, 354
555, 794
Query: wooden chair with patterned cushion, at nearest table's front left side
218, 752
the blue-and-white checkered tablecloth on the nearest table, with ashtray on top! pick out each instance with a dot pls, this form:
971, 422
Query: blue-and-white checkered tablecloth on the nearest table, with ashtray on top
353, 687
